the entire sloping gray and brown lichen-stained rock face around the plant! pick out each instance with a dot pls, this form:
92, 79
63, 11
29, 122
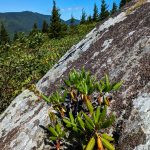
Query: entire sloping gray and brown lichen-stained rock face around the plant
119, 47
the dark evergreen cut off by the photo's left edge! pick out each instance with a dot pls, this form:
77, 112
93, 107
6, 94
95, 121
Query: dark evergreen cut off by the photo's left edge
4, 37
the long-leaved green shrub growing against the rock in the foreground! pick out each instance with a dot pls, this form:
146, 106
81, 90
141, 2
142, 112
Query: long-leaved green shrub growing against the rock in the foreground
78, 113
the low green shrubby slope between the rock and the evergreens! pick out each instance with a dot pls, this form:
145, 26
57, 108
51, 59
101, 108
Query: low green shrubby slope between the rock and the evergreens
25, 60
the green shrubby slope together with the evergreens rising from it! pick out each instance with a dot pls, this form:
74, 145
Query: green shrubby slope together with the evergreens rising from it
27, 58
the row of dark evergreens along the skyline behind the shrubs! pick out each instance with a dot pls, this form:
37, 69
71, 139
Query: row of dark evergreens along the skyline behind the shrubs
57, 28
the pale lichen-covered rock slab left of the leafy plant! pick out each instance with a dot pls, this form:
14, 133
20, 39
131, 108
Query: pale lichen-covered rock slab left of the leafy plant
24, 115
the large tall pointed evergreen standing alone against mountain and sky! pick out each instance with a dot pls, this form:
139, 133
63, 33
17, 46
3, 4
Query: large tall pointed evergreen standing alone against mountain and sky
55, 23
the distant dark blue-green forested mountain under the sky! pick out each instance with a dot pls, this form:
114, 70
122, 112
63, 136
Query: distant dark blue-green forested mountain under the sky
23, 21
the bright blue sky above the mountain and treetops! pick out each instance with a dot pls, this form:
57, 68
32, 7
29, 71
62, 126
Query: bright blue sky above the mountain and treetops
67, 7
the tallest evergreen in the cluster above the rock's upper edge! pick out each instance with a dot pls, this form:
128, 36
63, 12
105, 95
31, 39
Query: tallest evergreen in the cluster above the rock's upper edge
104, 12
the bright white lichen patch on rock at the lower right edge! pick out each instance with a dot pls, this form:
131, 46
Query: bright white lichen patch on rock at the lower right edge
142, 105
